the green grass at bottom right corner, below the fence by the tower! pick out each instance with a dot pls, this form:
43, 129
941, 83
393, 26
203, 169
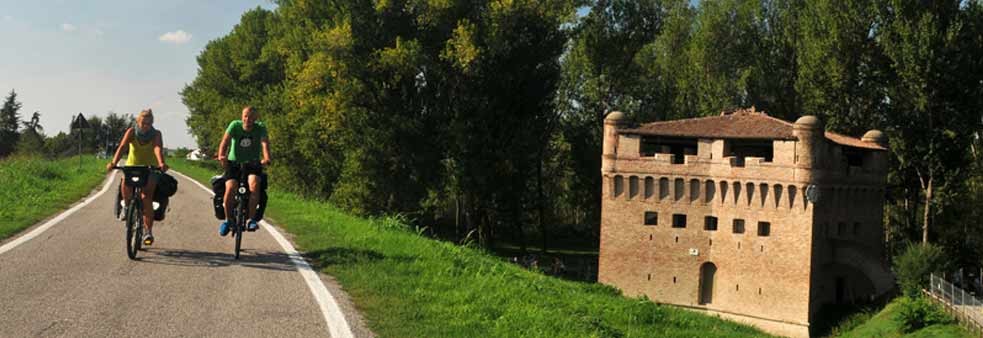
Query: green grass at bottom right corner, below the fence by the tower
884, 324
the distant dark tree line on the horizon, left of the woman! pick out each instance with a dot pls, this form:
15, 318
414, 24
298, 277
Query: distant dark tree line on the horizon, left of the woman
27, 137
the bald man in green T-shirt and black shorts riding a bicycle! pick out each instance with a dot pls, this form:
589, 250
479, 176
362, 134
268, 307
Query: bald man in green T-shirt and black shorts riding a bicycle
244, 141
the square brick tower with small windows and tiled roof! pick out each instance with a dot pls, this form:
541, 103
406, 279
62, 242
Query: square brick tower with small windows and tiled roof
743, 215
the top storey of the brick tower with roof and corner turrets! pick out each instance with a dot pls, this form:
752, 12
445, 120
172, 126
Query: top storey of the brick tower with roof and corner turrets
769, 149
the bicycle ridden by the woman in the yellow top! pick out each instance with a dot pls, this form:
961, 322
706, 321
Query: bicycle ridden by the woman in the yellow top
136, 178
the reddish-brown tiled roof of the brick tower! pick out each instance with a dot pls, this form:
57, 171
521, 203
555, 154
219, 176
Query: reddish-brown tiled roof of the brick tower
739, 124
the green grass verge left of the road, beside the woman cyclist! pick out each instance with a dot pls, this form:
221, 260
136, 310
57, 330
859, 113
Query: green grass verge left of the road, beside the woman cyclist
35, 188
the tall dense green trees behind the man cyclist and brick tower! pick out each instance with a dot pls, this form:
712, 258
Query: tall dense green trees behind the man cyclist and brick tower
485, 117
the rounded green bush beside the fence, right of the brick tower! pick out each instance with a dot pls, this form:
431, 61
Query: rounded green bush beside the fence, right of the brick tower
914, 265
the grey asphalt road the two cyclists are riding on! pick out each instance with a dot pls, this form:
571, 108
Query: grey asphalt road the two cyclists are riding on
70, 277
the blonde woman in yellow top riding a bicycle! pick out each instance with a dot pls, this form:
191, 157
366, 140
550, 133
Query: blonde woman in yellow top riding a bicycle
145, 149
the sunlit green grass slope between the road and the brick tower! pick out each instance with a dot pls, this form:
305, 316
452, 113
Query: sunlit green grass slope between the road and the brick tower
406, 285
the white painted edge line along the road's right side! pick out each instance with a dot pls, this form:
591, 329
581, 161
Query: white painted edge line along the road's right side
337, 324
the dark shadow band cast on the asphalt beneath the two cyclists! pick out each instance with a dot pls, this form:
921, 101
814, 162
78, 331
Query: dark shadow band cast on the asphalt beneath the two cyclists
268, 260
